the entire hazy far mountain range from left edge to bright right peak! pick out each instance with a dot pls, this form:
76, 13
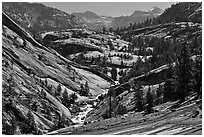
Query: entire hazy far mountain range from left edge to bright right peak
37, 17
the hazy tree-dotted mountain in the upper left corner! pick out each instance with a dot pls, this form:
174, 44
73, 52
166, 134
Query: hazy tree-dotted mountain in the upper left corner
36, 17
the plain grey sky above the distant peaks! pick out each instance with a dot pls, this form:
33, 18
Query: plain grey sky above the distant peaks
114, 9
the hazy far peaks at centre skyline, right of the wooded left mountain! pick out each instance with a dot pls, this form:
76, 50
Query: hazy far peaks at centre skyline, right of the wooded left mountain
93, 20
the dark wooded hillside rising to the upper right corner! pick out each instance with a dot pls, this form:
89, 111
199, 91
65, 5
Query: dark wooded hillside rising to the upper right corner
179, 12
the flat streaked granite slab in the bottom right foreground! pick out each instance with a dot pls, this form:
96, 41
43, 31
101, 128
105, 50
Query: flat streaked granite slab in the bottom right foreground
185, 120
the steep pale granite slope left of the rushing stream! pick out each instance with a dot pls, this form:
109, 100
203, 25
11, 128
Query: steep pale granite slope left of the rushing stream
31, 74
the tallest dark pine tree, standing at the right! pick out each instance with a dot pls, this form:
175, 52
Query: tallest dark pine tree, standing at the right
183, 72
